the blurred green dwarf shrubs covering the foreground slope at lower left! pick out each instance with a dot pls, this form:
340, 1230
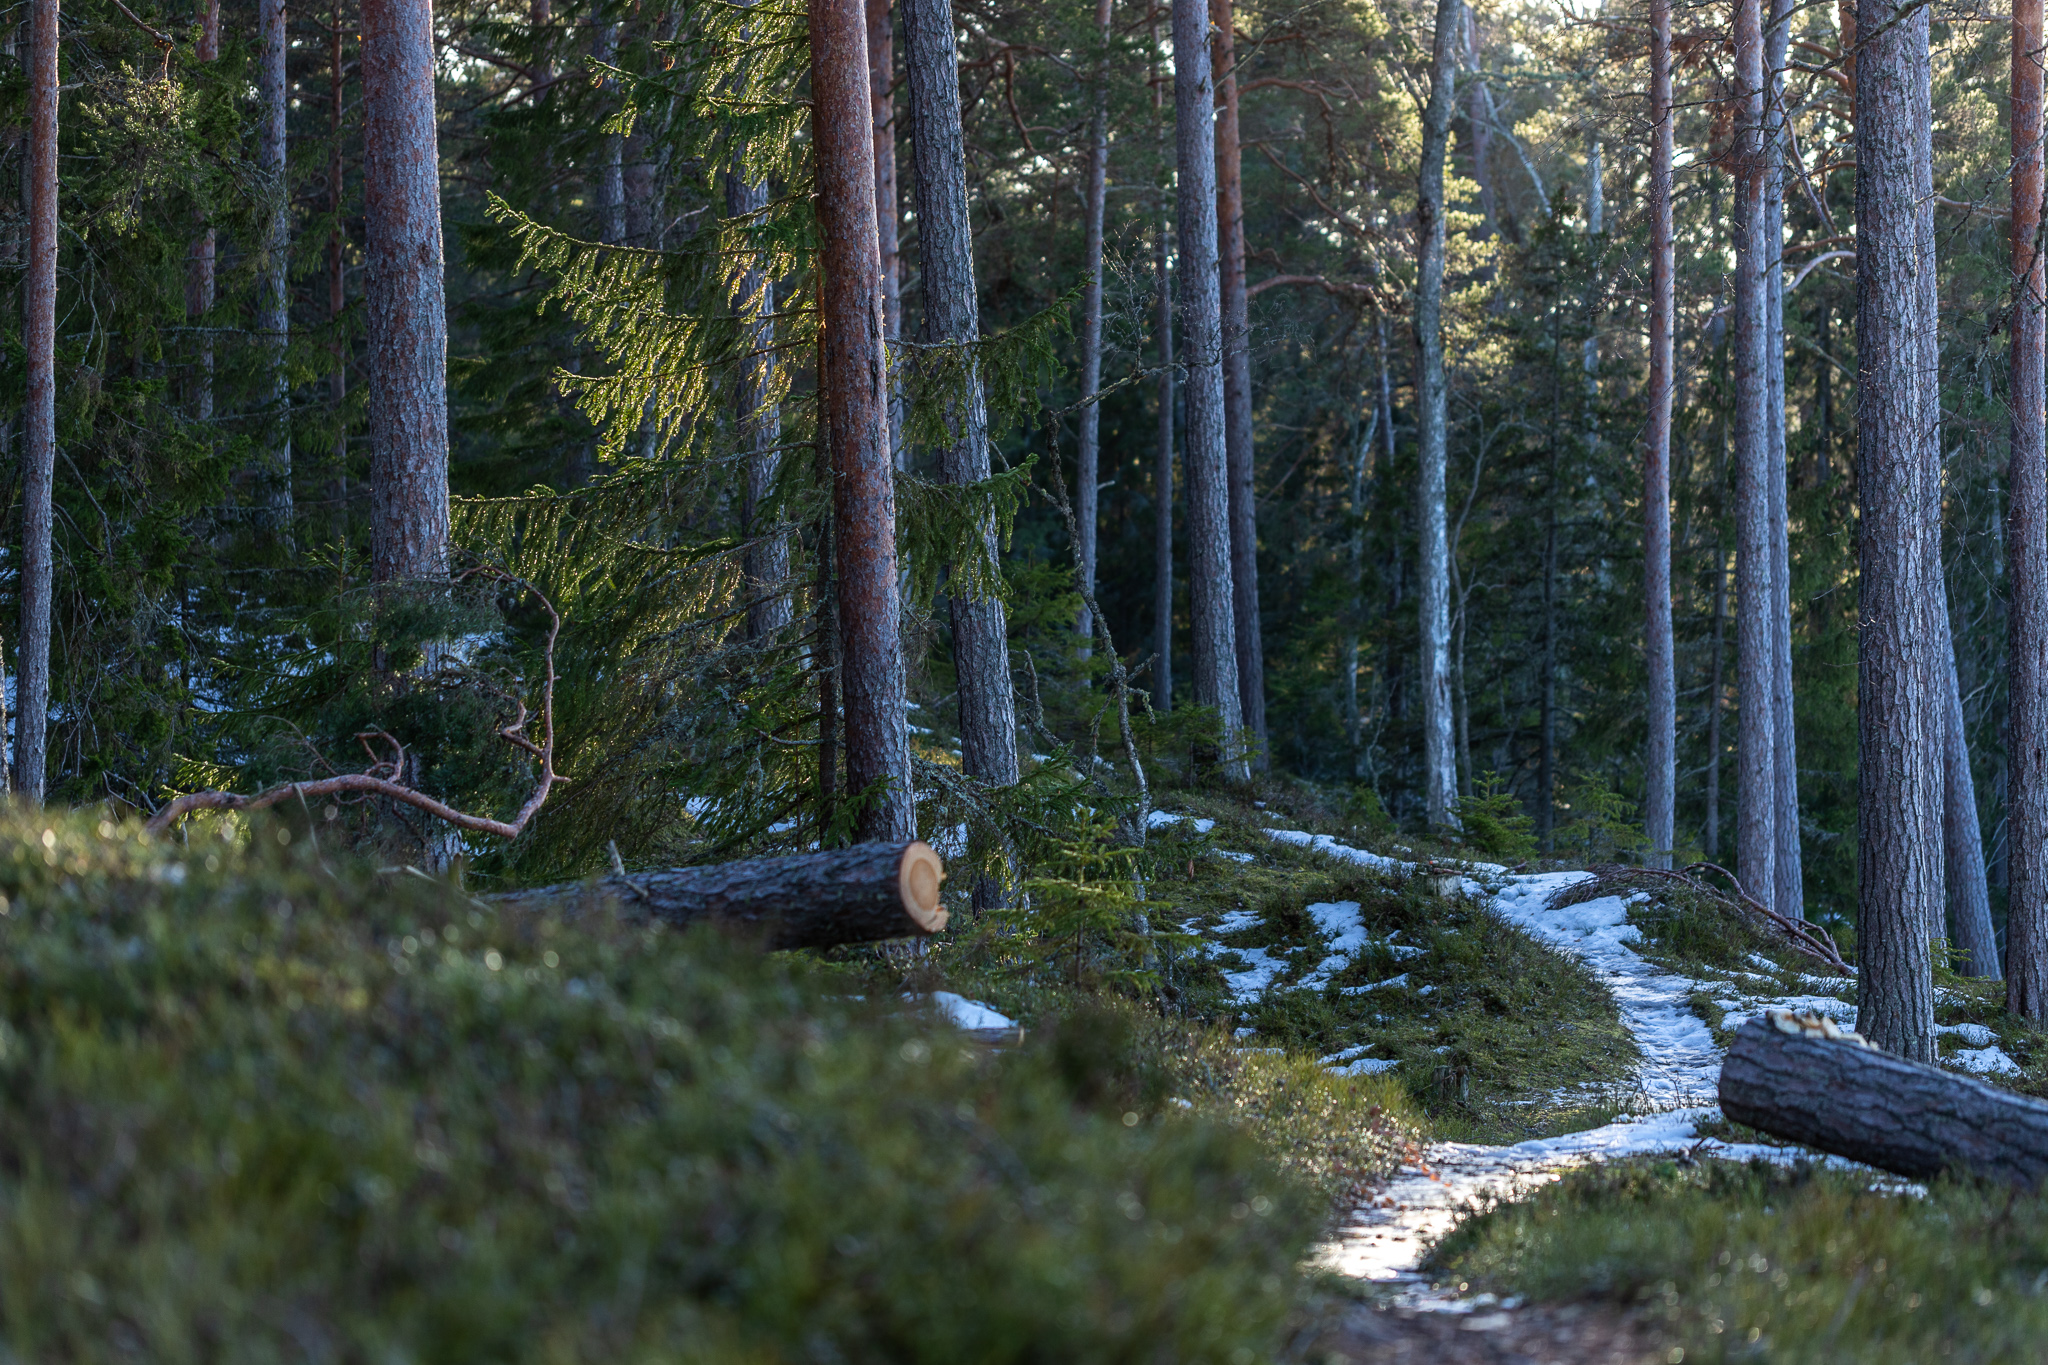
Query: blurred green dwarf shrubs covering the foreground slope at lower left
255, 1108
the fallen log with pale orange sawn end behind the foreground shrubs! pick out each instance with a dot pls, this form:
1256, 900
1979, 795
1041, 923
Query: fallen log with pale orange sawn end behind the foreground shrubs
857, 895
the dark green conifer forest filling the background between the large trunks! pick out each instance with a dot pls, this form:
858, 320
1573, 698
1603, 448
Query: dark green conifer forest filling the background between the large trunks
212, 611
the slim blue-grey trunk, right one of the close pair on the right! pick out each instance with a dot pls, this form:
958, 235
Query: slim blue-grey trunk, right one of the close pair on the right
1789, 893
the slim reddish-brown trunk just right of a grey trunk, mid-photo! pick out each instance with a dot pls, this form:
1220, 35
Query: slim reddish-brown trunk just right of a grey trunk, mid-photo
1238, 382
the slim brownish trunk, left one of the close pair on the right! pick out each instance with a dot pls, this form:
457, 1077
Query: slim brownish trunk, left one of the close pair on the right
1756, 830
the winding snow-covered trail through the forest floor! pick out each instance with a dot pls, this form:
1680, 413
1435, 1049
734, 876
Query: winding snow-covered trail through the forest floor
1388, 1239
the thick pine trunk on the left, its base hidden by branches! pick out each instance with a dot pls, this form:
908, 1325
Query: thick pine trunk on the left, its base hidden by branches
409, 324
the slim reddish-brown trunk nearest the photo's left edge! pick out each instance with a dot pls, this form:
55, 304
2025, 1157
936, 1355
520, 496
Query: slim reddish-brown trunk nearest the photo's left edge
40, 404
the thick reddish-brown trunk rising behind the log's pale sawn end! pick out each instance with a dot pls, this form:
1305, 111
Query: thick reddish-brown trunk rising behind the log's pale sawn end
857, 425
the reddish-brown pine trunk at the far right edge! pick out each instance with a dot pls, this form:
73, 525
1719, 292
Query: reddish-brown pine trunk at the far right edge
2026, 549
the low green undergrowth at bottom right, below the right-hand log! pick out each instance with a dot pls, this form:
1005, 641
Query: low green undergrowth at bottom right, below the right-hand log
1764, 1264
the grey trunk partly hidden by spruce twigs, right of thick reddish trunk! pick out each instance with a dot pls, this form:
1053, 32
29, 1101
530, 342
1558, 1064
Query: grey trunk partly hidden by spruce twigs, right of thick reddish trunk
951, 316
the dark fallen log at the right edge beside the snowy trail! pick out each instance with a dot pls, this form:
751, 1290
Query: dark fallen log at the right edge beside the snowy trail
1852, 1100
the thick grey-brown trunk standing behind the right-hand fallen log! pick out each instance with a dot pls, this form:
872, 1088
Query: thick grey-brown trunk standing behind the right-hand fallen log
1900, 779
